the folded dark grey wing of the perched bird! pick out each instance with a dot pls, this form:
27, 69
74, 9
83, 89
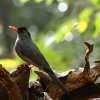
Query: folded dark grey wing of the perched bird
31, 54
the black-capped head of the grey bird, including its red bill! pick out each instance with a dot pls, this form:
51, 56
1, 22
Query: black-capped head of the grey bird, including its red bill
22, 31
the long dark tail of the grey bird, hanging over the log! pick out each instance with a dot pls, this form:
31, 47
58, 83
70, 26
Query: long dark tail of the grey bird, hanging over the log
56, 80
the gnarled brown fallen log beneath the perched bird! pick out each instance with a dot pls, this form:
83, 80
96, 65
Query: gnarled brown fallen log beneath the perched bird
82, 83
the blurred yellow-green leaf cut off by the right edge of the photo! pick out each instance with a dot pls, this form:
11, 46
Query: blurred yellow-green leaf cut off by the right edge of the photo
97, 25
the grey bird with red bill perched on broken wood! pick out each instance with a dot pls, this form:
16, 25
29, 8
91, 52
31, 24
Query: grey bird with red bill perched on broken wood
30, 53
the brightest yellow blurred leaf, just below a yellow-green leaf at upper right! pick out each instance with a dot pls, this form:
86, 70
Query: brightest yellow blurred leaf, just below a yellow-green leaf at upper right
83, 24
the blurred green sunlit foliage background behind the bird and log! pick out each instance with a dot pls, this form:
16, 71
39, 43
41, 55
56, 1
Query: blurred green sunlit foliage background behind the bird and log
58, 27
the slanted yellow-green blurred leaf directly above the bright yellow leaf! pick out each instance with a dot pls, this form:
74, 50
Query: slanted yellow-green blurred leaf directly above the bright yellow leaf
85, 14
